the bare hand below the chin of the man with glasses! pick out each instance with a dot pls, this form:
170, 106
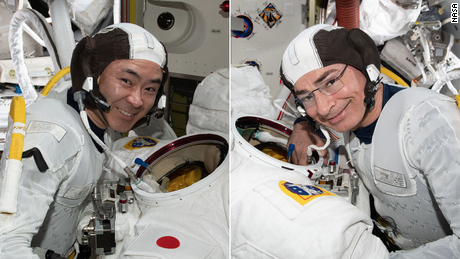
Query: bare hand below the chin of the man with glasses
302, 136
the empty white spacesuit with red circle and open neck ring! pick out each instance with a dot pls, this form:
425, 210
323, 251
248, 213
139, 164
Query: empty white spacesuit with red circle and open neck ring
194, 218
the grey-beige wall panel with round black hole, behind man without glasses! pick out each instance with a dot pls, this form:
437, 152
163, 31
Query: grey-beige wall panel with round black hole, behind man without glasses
198, 43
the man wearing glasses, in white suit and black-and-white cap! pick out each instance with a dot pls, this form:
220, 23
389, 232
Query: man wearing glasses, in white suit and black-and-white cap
403, 142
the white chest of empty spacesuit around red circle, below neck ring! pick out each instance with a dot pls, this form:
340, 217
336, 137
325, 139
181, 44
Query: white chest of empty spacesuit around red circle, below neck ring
197, 220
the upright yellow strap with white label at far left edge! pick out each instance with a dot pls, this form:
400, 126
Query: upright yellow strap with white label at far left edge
18, 114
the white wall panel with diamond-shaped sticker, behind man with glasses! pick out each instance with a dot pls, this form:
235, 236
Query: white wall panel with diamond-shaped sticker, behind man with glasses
267, 44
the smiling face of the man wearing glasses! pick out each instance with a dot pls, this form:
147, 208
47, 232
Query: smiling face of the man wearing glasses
343, 110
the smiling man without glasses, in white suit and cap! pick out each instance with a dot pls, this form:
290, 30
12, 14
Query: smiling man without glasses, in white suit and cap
122, 70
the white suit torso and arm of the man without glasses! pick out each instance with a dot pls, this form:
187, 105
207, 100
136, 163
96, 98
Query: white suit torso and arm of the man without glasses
50, 202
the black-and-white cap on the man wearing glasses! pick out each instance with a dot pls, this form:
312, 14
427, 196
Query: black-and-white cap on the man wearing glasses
323, 45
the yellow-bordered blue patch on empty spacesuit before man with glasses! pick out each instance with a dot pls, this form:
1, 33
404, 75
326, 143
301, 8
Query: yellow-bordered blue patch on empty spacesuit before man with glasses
302, 193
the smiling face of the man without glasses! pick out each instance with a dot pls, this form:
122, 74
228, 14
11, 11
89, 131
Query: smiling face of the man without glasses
130, 87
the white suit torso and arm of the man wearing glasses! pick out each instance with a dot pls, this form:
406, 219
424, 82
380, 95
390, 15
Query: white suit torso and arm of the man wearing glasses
412, 171
